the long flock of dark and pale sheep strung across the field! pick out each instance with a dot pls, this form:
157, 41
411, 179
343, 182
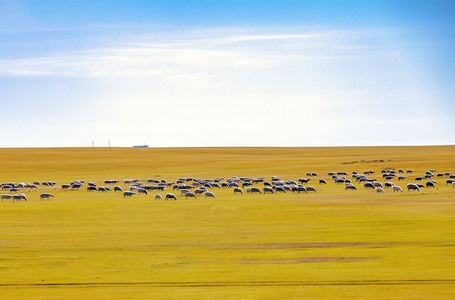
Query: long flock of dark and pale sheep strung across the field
193, 187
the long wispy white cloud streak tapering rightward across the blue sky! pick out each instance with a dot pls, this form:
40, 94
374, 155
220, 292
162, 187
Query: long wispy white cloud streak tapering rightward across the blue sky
201, 54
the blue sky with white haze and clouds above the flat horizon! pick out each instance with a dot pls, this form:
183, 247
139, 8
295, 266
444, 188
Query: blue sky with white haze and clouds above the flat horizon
221, 73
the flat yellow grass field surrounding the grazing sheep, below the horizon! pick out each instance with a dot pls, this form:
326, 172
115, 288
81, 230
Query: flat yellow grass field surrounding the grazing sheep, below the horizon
332, 244
